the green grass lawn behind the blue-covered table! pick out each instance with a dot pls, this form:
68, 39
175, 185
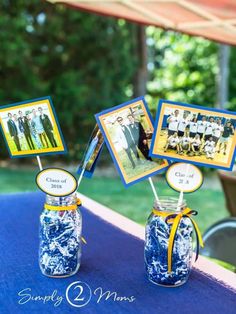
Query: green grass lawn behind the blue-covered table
134, 202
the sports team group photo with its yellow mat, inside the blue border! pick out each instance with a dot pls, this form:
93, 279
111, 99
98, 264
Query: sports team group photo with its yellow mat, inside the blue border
193, 134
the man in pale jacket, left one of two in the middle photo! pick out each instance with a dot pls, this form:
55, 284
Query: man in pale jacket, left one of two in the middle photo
127, 141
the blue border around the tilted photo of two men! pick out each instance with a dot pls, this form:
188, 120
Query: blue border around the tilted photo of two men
110, 149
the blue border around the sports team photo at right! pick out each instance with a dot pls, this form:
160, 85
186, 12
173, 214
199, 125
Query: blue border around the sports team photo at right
159, 107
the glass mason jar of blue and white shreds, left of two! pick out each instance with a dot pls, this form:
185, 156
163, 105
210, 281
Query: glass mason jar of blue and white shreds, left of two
60, 236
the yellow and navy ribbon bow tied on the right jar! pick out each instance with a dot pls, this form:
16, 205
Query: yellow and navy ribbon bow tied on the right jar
176, 218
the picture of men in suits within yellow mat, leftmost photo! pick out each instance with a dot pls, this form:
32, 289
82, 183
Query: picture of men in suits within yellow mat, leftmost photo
31, 129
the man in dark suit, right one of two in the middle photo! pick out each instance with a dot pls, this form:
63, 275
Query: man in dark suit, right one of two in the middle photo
139, 136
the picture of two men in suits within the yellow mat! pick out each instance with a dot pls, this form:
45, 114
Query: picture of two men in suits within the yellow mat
131, 136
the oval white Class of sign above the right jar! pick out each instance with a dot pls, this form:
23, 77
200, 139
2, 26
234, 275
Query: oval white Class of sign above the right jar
184, 177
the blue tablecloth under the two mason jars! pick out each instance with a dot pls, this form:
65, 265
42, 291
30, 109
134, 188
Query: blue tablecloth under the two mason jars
112, 260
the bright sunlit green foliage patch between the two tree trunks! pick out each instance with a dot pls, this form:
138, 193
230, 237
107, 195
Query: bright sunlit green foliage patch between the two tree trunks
182, 68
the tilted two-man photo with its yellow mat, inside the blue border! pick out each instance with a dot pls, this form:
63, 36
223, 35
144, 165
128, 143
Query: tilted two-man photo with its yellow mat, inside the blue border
129, 131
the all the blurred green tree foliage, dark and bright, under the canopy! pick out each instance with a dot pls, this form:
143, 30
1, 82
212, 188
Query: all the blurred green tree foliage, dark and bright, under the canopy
88, 63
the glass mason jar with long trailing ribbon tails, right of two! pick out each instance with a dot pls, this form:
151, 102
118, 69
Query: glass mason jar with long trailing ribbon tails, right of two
157, 236
